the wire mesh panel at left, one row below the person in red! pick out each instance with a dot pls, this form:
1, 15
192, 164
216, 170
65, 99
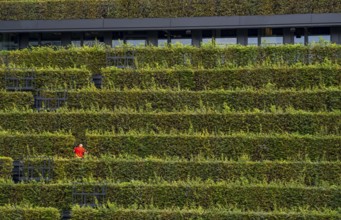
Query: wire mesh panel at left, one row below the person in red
34, 168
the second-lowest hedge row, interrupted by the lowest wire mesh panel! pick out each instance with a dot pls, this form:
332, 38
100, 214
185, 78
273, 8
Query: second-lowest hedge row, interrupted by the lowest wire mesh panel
246, 196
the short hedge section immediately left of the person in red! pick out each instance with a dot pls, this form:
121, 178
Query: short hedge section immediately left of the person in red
18, 145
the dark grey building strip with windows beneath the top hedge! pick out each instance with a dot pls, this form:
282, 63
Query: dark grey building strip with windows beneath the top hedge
192, 30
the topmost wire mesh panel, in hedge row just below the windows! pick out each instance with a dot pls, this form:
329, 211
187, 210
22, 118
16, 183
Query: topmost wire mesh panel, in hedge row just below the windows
121, 59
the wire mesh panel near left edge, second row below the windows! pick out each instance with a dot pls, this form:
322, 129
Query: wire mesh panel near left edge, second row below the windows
20, 82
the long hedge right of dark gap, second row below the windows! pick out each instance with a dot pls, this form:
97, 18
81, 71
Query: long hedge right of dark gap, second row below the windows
276, 77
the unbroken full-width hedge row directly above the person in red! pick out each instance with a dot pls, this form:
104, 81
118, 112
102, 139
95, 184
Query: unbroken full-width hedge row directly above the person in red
79, 121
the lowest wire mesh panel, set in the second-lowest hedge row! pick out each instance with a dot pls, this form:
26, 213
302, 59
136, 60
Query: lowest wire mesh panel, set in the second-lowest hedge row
89, 195
